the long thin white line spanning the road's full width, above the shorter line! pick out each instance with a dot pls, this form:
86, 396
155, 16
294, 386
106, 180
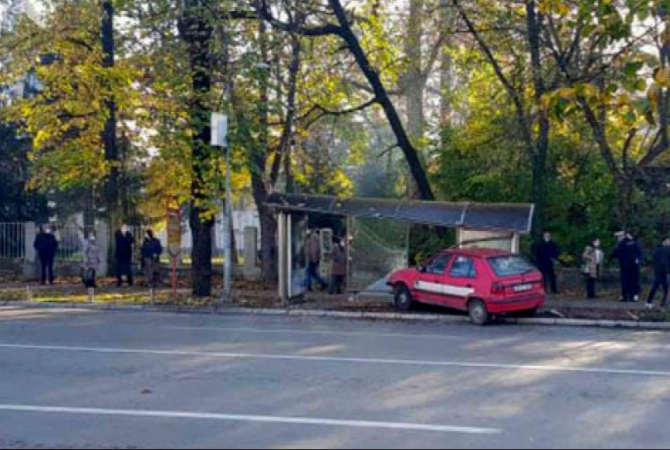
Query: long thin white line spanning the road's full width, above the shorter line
333, 359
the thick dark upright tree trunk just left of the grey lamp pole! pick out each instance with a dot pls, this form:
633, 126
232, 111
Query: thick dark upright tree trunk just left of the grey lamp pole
196, 31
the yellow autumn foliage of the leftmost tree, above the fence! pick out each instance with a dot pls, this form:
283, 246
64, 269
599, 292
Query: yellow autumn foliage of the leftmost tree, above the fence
66, 117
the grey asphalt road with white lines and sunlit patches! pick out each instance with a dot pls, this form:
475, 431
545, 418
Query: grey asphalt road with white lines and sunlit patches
75, 379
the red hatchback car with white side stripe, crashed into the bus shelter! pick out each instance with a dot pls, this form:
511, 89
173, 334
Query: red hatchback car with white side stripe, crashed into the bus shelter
482, 282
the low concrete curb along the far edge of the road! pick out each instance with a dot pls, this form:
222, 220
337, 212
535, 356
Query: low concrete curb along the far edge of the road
425, 318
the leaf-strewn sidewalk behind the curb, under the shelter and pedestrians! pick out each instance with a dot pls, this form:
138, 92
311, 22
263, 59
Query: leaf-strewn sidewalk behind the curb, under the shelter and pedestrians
565, 307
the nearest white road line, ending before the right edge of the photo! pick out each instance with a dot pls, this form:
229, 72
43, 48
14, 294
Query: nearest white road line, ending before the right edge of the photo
248, 418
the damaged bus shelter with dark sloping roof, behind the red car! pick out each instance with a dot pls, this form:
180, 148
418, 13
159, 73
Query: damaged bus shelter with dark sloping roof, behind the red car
377, 233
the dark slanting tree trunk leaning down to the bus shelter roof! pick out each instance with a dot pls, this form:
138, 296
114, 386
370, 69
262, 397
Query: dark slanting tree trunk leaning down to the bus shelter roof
382, 96
